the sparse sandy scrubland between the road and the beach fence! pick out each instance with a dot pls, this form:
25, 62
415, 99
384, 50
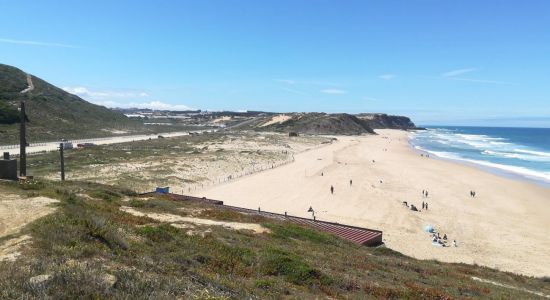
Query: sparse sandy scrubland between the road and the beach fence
176, 162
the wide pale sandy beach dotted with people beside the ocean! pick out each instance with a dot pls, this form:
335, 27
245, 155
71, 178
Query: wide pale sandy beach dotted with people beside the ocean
505, 226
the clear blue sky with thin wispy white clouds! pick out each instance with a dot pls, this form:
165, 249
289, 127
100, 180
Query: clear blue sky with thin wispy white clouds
466, 62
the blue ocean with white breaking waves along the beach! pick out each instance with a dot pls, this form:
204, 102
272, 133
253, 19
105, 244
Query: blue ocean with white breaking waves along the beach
512, 152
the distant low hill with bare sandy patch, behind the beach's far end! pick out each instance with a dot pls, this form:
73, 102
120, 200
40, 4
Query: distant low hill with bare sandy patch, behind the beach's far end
315, 123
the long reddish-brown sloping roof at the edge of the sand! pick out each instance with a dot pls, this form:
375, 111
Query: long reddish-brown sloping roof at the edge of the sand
359, 235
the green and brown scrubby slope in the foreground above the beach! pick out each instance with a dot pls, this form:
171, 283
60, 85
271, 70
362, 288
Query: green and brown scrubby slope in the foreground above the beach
89, 248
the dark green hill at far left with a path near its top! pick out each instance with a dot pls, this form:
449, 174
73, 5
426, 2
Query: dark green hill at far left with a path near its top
53, 113
